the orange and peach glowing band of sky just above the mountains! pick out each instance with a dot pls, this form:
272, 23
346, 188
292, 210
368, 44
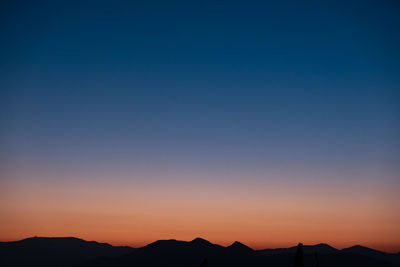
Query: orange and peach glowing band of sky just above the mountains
259, 215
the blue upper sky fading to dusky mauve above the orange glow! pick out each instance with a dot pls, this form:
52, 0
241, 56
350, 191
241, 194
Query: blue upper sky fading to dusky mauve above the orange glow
242, 85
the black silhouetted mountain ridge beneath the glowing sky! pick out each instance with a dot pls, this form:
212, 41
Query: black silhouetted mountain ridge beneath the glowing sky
43, 251
